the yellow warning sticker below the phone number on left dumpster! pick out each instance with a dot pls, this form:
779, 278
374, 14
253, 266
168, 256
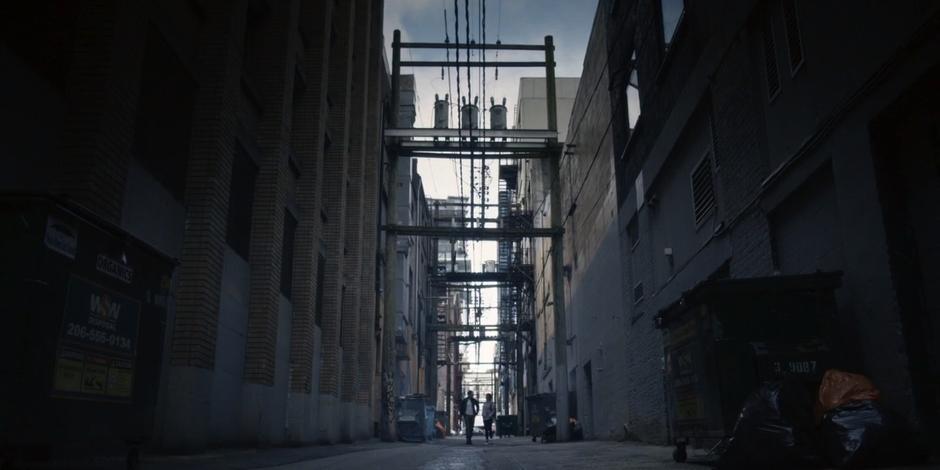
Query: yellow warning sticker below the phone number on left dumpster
80, 374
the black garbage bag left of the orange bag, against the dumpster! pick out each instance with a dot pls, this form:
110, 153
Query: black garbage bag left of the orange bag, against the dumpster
774, 430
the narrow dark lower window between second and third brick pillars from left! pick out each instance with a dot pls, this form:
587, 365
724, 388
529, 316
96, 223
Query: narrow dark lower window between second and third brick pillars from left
240, 201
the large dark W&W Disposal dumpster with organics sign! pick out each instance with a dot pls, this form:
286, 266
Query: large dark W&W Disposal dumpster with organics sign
86, 313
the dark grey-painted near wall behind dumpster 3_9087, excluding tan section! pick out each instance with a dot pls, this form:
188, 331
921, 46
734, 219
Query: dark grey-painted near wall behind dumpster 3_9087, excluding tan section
793, 171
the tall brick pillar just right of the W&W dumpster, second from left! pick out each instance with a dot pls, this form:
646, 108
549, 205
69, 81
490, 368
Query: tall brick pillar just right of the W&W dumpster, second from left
209, 174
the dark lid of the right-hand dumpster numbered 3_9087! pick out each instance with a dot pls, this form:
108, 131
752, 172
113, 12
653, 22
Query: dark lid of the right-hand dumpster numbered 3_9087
712, 289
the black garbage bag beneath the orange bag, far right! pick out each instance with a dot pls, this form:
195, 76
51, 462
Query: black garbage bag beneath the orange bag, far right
866, 434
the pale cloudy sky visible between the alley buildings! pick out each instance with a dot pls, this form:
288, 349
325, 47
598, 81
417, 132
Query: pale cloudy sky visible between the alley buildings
511, 22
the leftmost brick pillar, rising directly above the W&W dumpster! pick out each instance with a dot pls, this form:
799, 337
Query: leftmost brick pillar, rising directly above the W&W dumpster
102, 86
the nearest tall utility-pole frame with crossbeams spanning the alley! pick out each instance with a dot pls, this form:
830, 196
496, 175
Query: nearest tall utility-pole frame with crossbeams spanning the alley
513, 279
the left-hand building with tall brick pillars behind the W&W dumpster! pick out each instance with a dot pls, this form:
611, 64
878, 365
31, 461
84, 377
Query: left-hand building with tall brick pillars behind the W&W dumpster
242, 138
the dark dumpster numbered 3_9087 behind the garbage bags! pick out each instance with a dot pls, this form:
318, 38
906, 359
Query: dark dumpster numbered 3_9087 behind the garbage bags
724, 337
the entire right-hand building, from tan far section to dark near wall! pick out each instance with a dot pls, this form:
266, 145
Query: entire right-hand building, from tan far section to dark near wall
752, 139
